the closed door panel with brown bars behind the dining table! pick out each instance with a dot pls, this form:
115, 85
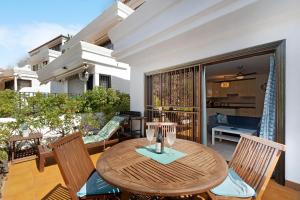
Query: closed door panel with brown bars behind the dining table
177, 92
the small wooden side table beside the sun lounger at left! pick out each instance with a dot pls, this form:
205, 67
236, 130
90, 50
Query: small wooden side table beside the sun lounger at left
25, 154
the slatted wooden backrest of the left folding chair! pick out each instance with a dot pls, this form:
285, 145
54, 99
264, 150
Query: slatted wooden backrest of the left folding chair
73, 161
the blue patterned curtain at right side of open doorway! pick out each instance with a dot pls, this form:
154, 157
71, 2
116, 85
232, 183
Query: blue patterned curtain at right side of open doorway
268, 121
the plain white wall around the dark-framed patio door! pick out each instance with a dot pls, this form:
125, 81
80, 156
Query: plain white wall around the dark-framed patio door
258, 23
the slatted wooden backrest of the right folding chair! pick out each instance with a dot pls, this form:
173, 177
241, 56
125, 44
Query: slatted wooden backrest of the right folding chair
254, 160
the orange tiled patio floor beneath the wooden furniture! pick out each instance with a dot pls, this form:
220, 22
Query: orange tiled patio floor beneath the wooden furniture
24, 182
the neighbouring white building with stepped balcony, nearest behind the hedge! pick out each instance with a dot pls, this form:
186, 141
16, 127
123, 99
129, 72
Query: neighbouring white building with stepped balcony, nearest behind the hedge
87, 60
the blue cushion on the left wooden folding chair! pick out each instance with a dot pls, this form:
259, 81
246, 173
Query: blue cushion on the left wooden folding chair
96, 186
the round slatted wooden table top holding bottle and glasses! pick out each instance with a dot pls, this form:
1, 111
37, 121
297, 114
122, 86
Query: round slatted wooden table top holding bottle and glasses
200, 170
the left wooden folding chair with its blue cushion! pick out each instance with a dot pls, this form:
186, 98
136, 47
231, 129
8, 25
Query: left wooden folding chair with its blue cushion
78, 171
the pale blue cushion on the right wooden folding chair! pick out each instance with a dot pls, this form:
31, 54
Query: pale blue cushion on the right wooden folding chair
234, 186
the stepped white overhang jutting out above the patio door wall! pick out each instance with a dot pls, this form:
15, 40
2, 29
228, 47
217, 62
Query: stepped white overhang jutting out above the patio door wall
156, 22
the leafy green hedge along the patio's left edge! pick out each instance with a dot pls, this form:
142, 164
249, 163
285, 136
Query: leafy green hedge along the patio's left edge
40, 110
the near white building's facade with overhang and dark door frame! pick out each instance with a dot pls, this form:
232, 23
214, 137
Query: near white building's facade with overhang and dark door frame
162, 36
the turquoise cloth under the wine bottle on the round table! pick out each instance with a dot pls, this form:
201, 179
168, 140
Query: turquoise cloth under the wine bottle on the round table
169, 155
